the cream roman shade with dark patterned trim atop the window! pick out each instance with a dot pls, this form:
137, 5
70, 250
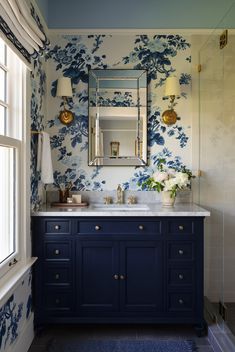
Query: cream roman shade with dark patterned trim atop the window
20, 24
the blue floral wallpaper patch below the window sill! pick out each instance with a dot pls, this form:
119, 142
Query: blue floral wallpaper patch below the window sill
15, 312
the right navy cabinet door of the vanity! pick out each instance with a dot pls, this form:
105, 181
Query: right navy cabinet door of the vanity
141, 276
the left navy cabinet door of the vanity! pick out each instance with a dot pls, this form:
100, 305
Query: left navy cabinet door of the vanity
97, 276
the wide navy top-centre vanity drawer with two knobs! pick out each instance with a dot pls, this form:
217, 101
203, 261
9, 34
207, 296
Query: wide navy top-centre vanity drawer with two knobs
119, 227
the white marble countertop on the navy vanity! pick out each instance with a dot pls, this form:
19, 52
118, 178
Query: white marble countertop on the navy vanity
152, 209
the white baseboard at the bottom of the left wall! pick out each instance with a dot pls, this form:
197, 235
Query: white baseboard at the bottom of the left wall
25, 338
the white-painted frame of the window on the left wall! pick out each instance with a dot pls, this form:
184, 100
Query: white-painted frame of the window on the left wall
19, 145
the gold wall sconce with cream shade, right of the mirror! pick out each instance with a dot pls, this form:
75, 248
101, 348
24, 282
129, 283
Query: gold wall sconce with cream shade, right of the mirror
172, 90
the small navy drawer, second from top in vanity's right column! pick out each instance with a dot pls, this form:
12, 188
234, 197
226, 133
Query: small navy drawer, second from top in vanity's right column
181, 250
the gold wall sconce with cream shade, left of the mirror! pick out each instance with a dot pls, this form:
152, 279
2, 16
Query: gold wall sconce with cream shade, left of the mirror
64, 90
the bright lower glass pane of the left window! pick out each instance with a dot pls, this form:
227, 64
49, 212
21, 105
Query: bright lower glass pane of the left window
7, 203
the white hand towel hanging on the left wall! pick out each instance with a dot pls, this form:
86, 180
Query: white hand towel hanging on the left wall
44, 162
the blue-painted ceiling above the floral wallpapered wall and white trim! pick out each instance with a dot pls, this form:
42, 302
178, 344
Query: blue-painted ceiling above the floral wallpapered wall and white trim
132, 14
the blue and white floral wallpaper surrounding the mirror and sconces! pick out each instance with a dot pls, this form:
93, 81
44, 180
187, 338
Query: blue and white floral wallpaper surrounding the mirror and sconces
72, 56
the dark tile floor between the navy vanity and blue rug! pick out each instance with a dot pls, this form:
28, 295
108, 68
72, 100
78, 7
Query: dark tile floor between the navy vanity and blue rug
44, 339
